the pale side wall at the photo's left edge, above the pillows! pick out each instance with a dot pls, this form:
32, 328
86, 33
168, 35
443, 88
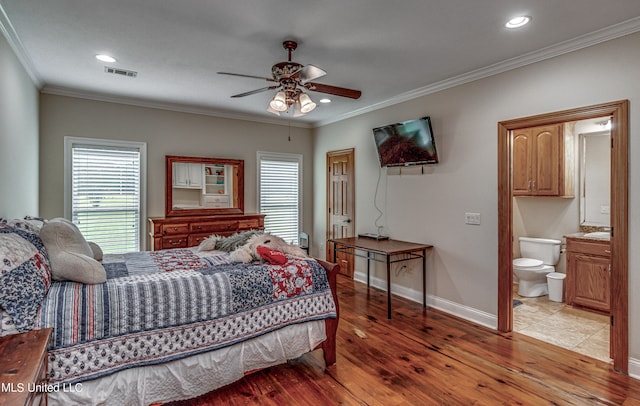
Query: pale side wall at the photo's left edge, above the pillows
18, 138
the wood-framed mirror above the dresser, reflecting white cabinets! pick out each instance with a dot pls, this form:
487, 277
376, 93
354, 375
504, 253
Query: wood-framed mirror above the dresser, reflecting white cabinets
203, 186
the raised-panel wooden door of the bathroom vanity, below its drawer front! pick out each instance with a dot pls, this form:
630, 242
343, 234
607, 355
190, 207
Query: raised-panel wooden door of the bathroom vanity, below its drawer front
591, 286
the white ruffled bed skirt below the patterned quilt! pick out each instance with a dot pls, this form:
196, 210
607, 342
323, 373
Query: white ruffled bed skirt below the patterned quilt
196, 375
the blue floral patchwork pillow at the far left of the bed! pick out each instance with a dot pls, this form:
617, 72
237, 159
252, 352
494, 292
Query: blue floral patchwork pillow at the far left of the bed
25, 275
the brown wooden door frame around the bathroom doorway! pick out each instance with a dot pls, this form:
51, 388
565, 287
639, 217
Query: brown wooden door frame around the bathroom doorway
619, 113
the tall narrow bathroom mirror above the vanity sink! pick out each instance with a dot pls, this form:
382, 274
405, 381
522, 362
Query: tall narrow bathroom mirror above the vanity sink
595, 178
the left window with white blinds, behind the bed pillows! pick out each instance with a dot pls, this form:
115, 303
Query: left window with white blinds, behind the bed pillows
104, 192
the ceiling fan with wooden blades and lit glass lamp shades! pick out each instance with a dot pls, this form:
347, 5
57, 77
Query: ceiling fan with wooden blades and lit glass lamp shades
291, 78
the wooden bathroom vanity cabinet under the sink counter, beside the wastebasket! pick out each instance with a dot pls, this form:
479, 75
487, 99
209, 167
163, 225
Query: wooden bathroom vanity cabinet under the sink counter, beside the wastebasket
589, 273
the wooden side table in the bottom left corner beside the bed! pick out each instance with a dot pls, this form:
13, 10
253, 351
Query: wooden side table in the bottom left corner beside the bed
23, 368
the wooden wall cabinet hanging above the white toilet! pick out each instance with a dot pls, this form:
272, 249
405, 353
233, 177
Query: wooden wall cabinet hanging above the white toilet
542, 162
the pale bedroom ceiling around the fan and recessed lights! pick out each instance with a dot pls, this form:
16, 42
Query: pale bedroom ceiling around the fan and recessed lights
390, 50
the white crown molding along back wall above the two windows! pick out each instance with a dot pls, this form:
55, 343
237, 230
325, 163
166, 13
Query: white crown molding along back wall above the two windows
181, 108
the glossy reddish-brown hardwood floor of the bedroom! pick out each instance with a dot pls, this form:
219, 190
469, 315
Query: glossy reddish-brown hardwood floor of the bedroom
428, 358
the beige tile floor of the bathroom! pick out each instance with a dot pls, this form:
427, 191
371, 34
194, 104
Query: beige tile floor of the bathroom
556, 323
